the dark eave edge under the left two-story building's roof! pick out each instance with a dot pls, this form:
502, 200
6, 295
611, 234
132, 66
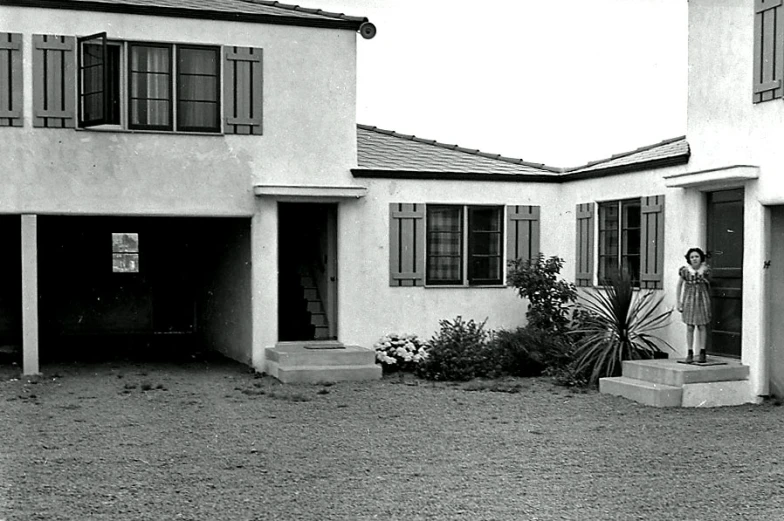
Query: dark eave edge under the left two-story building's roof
176, 12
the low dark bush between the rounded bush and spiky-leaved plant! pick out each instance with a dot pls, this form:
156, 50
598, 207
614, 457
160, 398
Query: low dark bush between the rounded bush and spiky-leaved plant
526, 351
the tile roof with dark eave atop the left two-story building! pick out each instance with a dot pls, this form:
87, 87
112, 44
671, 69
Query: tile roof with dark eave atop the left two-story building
202, 8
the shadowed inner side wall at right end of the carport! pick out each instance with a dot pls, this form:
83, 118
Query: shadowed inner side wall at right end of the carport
224, 305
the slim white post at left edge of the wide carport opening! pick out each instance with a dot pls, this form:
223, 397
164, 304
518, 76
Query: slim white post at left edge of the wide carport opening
30, 294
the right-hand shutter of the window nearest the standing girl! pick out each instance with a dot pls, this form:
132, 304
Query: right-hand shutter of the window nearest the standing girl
651, 242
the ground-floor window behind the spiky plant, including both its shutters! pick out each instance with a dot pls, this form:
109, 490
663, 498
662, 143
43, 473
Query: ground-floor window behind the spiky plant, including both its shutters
630, 236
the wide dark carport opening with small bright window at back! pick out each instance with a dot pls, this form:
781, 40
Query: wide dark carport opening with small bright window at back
143, 288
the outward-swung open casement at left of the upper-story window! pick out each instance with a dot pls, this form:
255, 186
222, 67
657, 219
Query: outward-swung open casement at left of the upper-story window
98, 82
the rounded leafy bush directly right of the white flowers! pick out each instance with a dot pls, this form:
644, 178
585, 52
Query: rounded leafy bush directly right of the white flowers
457, 352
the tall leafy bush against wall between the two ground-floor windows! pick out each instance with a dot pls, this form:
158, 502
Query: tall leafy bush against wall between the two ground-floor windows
549, 299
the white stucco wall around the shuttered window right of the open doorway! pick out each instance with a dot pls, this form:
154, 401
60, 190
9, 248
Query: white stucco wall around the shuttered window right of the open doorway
370, 308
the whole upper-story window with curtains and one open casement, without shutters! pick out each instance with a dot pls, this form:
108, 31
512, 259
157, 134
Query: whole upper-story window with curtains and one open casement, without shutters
164, 86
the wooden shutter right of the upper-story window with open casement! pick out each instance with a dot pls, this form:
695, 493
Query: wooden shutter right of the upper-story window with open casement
243, 90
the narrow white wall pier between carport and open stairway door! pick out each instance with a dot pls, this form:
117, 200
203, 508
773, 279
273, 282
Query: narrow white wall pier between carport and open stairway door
264, 276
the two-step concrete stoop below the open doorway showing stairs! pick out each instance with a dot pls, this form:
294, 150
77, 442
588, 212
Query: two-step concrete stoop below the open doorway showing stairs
321, 362
